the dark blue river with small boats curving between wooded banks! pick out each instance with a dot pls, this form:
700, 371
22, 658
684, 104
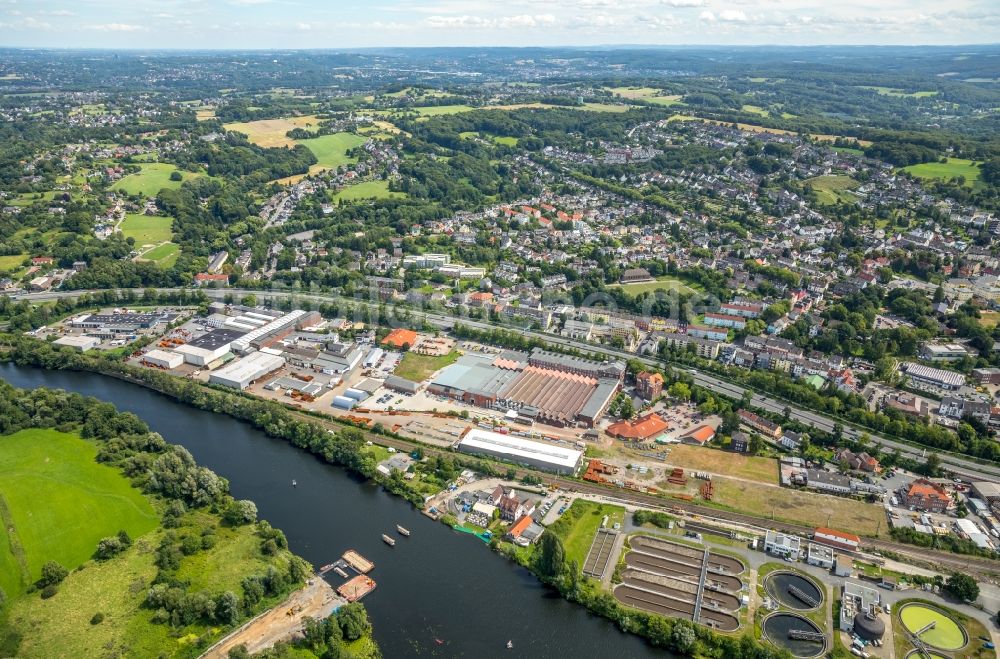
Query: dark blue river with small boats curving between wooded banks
436, 584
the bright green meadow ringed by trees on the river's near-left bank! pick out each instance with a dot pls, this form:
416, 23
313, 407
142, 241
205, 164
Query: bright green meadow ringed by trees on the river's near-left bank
58, 470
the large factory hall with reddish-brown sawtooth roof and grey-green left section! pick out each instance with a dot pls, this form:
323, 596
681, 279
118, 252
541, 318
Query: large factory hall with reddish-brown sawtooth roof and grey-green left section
546, 387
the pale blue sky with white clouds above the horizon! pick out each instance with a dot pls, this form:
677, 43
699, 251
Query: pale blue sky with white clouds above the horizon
343, 24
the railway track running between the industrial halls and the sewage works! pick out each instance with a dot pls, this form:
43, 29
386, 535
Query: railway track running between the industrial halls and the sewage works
932, 558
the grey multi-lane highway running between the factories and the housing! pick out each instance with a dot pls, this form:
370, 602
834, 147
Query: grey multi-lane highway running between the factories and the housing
957, 464
